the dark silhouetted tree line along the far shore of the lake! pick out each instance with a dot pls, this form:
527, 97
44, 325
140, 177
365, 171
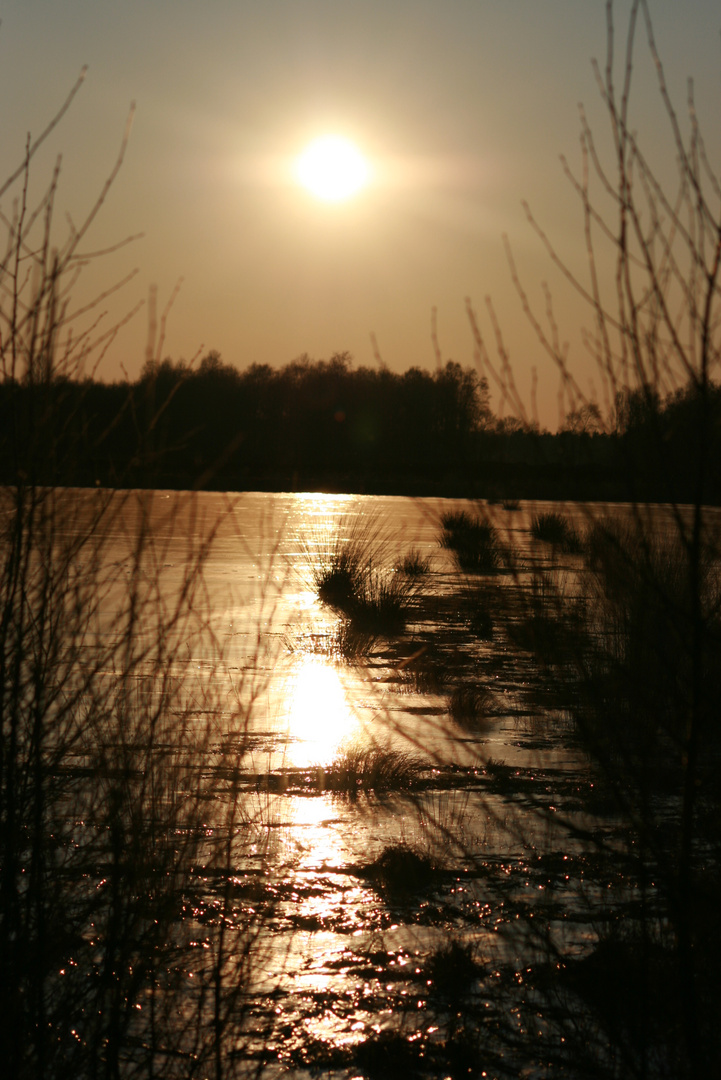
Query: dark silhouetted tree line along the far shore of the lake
329, 426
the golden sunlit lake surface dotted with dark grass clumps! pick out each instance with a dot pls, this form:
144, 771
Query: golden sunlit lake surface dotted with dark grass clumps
331, 896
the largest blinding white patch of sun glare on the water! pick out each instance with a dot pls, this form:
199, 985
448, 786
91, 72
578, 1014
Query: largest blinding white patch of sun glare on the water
320, 718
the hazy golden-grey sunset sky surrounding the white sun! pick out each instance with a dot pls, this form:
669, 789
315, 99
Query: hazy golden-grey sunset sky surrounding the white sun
460, 109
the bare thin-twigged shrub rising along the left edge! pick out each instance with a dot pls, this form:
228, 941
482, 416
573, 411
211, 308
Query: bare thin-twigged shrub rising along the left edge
104, 834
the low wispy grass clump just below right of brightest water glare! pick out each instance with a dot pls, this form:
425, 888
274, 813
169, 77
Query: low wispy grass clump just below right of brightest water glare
362, 769
